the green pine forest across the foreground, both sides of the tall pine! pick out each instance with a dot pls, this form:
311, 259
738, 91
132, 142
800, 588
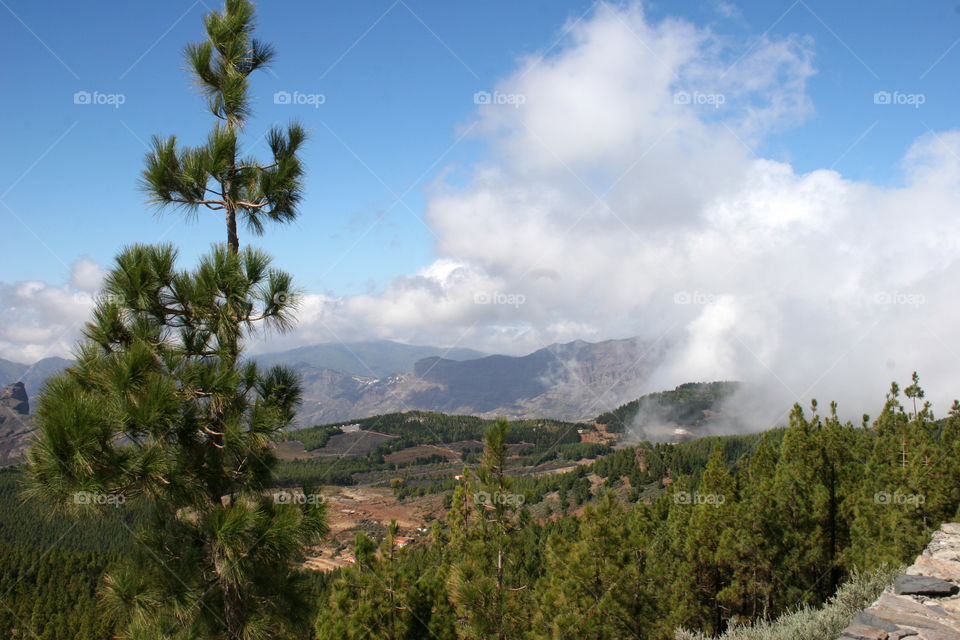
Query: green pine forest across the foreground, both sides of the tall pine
729, 529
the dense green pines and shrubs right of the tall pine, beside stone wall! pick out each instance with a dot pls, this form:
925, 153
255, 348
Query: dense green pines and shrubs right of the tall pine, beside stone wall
743, 535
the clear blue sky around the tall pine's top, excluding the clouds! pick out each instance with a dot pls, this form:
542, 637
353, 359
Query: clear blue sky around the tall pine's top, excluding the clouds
398, 80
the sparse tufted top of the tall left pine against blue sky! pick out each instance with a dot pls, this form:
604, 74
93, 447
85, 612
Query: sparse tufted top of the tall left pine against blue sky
213, 175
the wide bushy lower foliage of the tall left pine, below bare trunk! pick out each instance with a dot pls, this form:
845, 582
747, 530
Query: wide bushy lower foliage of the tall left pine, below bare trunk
160, 413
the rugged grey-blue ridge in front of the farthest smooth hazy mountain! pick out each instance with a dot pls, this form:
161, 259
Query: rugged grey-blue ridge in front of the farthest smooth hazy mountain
572, 381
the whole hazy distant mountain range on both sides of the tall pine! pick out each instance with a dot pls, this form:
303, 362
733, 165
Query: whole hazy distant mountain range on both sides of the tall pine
572, 381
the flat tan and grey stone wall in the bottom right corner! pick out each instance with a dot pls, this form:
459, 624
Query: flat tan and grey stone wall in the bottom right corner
924, 602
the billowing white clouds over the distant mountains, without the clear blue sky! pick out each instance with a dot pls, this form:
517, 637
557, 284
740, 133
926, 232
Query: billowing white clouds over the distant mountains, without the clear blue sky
620, 198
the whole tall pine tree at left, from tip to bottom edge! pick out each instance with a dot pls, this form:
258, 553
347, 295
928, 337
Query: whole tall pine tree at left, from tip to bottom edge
160, 409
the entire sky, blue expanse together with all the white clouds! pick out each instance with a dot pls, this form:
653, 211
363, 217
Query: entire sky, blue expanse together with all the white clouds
766, 188
